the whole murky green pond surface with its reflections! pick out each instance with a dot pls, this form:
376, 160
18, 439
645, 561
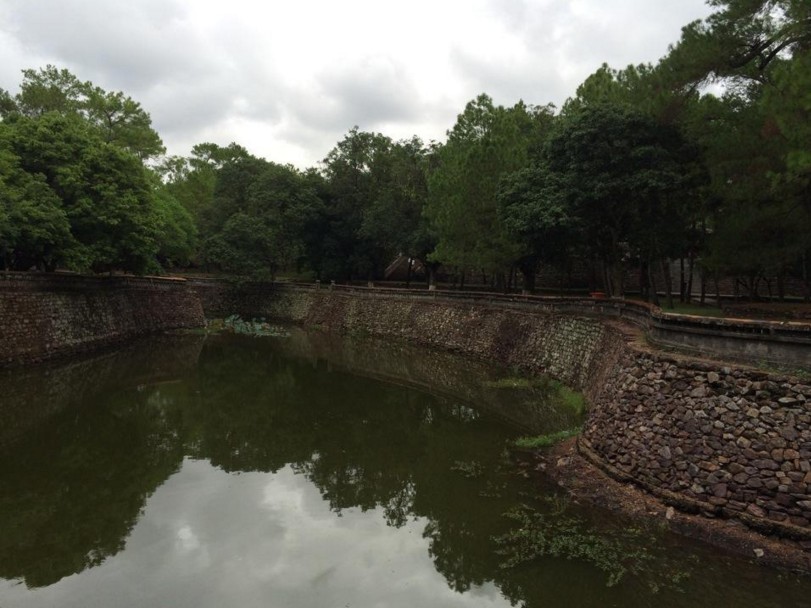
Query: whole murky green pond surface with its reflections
313, 471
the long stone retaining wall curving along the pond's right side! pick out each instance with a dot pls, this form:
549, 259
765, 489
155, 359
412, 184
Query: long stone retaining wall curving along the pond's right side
713, 438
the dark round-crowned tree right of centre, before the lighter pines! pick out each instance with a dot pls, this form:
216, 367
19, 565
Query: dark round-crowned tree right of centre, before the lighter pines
625, 180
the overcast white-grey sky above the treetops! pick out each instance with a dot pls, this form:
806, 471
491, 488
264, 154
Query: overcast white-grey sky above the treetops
288, 79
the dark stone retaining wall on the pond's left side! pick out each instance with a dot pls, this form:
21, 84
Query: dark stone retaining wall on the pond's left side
42, 316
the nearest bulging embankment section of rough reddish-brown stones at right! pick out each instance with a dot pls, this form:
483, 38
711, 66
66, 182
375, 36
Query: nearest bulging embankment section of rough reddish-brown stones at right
718, 439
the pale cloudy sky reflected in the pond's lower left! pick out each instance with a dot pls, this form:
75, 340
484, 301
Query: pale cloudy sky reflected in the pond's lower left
208, 538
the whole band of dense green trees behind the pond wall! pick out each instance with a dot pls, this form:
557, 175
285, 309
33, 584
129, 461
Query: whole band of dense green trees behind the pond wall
703, 156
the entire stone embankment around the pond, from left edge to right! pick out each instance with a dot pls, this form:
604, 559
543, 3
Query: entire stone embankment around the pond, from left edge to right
715, 438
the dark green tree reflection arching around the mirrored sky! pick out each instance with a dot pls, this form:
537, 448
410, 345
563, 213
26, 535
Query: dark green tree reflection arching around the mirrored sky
89, 469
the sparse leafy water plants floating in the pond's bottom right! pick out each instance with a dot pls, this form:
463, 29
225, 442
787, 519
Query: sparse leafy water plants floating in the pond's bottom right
619, 552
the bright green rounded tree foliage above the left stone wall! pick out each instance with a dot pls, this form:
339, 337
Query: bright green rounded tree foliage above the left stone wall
81, 202
